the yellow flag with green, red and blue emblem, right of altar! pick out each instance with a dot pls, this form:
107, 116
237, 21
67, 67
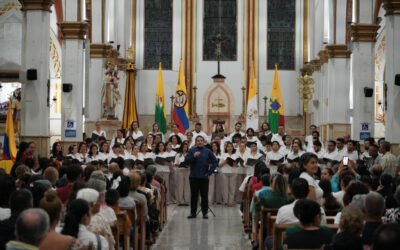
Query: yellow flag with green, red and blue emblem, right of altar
276, 115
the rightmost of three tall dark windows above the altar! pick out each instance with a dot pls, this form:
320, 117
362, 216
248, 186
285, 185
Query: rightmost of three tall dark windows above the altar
281, 34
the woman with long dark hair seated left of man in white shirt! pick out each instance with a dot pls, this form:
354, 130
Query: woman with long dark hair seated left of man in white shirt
279, 195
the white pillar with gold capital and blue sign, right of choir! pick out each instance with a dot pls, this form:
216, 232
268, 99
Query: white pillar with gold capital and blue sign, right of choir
363, 66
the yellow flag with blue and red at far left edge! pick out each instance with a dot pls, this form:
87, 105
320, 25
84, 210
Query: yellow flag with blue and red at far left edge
9, 148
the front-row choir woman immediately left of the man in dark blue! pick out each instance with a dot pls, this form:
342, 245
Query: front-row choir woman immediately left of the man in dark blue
182, 190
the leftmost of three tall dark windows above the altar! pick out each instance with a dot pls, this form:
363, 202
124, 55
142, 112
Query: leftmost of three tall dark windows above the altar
158, 34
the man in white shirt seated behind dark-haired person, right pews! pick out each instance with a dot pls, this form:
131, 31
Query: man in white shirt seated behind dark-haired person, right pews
299, 188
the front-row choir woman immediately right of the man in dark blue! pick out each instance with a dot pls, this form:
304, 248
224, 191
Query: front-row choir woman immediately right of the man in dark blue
227, 177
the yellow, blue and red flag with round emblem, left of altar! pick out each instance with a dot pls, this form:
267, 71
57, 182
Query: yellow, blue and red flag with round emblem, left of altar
181, 113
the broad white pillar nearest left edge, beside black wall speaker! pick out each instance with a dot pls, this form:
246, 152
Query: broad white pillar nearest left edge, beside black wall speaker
35, 110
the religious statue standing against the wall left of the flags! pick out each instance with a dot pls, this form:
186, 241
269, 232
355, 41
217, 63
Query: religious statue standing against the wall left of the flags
110, 95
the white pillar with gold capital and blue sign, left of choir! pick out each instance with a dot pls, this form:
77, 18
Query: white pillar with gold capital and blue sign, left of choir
73, 33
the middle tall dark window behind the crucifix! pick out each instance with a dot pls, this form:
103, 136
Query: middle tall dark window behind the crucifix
220, 26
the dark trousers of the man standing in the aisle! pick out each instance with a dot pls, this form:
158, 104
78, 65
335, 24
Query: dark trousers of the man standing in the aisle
197, 186
